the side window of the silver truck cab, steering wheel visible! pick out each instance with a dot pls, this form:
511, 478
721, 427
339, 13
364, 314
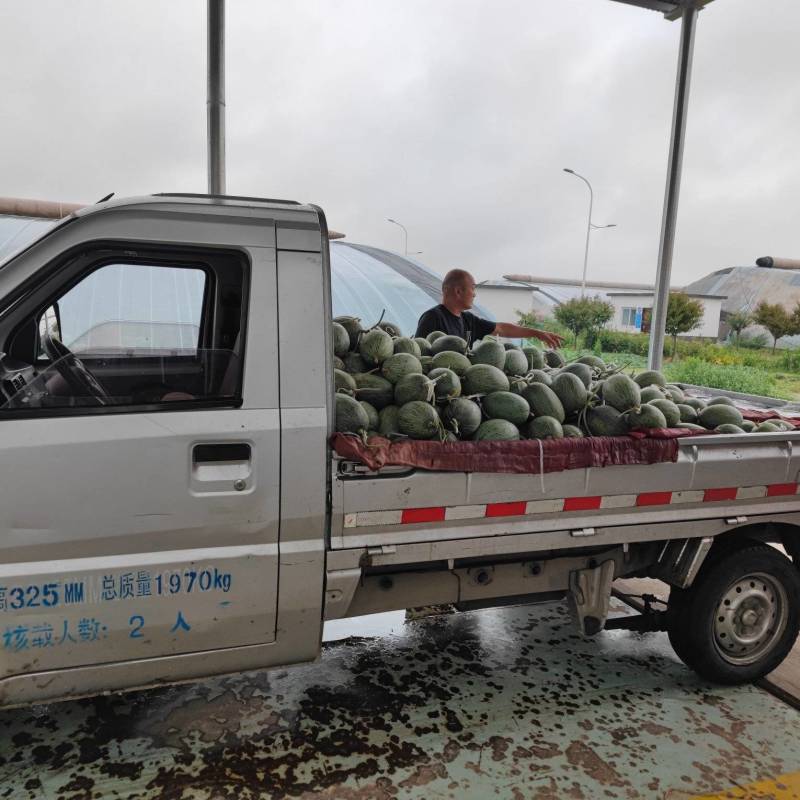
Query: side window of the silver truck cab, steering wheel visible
130, 334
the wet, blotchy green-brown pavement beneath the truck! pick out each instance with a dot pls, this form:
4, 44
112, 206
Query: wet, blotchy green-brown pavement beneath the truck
502, 703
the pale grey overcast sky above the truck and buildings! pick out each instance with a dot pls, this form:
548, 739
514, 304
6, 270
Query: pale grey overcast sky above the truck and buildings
454, 117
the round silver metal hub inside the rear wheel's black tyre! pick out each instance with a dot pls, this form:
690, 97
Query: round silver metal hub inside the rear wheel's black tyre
750, 618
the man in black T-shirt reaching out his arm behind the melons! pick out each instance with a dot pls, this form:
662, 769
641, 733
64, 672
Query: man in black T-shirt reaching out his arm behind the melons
452, 315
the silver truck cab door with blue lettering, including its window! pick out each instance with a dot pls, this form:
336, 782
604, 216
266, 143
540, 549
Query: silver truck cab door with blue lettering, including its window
139, 465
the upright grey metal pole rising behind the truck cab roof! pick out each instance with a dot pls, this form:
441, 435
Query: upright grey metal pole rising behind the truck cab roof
216, 96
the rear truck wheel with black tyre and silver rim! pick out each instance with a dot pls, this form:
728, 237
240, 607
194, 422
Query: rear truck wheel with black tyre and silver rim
741, 616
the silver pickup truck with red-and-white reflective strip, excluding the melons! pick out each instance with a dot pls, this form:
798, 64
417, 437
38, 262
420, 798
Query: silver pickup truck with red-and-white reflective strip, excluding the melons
170, 507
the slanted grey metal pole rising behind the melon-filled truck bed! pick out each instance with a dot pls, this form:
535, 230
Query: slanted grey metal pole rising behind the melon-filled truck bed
667, 241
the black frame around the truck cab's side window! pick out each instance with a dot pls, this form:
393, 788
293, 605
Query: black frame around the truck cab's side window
39, 292
